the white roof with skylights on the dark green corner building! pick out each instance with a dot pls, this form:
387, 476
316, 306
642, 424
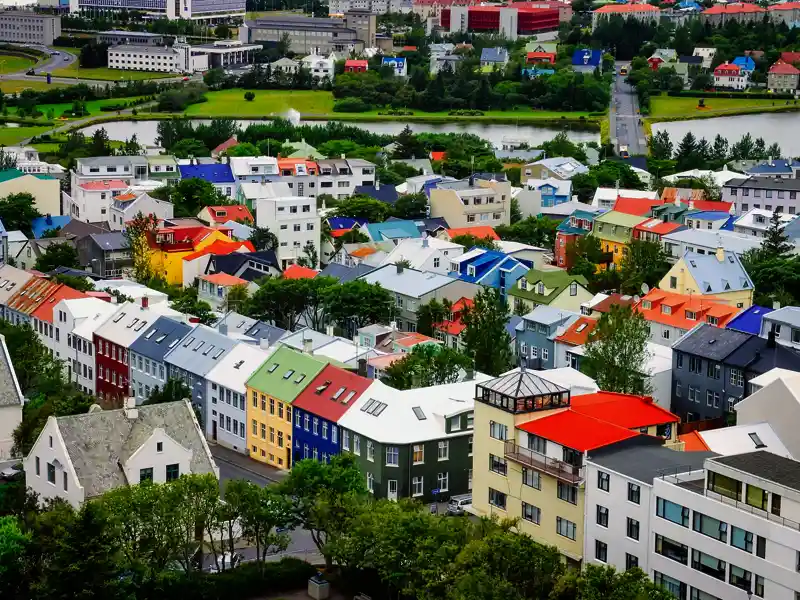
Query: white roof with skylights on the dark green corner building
396, 422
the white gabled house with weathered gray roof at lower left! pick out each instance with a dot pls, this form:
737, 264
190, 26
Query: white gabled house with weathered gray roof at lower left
81, 457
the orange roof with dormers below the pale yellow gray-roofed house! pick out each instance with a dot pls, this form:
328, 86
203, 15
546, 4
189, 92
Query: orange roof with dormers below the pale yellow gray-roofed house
680, 304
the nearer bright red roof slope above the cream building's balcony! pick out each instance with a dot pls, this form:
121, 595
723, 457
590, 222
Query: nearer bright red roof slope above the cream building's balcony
577, 431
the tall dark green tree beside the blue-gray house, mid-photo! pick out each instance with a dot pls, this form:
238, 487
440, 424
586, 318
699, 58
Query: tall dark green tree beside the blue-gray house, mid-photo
486, 340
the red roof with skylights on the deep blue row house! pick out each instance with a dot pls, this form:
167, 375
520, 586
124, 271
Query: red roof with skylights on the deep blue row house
332, 392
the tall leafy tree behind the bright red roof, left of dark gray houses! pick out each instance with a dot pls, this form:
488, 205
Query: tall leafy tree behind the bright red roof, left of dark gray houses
616, 353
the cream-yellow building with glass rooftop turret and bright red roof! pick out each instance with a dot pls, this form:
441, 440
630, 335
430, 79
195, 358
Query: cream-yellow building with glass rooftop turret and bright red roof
530, 446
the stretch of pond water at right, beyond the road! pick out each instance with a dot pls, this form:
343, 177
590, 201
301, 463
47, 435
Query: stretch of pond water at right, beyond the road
776, 127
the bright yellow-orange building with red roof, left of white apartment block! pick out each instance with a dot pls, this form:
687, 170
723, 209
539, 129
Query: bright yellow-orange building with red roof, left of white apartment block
170, 245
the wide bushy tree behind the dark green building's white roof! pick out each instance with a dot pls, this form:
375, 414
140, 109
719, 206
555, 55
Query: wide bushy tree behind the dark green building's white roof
426, 365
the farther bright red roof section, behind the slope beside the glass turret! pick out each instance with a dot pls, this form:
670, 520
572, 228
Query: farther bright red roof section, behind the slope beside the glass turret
623, 410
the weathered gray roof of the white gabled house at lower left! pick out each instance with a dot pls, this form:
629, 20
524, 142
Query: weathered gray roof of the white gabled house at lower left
99, 442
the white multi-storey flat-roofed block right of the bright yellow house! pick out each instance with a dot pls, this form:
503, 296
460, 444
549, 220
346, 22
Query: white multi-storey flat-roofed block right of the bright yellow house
294, 220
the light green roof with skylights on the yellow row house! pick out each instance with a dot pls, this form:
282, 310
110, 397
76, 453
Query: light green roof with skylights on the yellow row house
271, 378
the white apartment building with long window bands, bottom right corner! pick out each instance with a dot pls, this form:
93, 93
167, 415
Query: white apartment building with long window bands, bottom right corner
728, 530
